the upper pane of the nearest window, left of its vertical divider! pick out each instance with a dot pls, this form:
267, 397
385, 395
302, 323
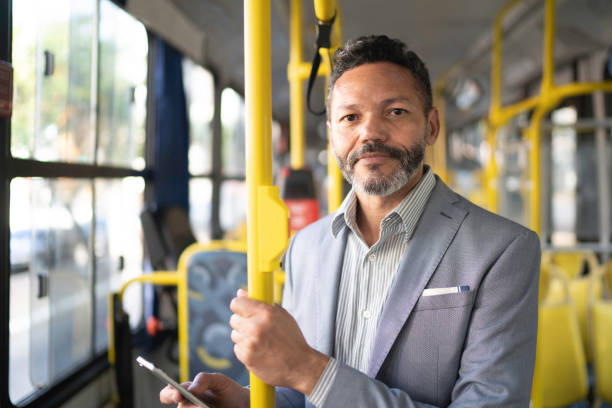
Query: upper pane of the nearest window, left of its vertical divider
53, 97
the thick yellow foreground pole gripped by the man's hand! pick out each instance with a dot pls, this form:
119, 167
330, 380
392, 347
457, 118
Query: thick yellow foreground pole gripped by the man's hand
267, 216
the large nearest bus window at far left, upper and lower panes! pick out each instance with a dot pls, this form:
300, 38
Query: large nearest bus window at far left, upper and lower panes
73, 239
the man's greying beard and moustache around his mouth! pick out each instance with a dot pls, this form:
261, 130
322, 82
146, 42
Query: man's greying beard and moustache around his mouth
380, 185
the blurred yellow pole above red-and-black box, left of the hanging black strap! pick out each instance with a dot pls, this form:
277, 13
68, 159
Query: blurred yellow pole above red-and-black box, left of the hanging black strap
296, 119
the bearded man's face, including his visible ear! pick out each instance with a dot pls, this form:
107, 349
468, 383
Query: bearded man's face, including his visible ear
378, 127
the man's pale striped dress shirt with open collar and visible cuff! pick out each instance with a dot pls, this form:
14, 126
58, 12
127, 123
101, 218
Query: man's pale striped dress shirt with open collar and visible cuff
367, 275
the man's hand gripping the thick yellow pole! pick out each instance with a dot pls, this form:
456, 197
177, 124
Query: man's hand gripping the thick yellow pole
270, 344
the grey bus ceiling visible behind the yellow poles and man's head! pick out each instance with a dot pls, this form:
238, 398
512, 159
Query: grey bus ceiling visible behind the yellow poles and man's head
455, 38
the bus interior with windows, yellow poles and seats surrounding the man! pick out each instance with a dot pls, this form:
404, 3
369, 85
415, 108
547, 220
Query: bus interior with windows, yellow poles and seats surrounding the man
124, 127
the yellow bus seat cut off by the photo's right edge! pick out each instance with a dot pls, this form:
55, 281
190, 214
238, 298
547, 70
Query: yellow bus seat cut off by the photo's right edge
602, 349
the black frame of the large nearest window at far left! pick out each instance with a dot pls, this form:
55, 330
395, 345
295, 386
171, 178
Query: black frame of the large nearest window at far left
10, 168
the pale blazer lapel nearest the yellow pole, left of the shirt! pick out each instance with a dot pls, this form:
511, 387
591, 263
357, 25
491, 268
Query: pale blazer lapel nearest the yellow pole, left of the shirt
327, 284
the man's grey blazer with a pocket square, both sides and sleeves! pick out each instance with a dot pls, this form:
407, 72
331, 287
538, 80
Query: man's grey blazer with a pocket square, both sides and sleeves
468, 349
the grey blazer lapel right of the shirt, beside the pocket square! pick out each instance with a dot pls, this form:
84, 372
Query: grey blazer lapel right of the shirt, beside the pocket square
434, 233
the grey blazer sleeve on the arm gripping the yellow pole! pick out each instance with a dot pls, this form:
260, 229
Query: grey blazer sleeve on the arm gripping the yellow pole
499, 351
